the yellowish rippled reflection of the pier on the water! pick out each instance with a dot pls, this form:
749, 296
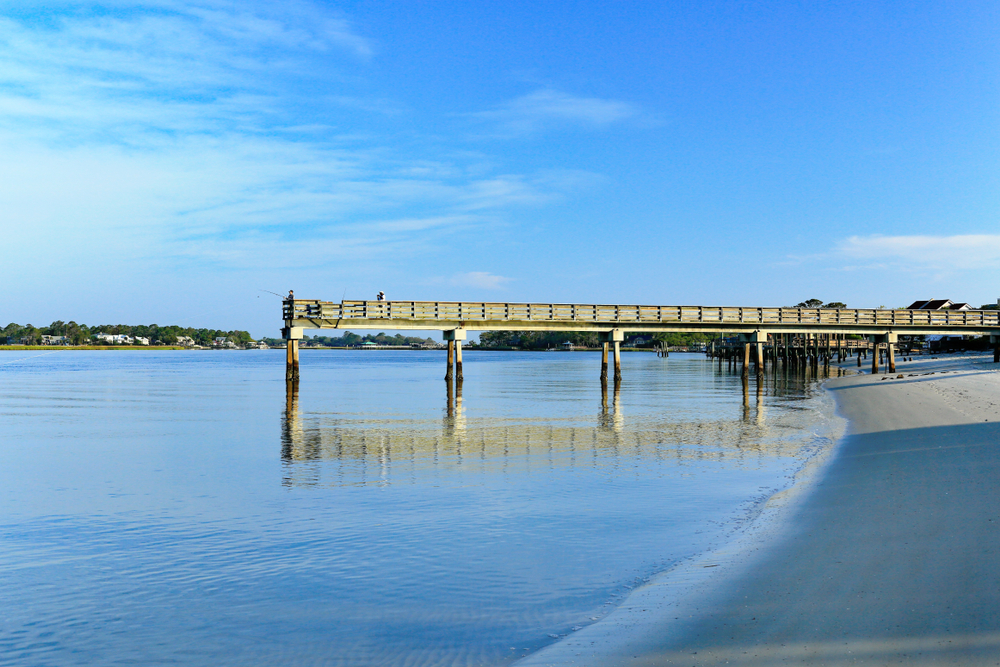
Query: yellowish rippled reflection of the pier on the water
348, 449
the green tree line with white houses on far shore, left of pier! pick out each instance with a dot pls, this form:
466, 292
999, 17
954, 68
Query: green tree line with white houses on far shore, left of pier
82, 334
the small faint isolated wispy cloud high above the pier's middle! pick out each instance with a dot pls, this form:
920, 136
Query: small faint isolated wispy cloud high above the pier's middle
549, 108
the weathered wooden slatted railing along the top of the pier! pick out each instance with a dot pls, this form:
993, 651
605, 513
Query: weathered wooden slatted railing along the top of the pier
480, 313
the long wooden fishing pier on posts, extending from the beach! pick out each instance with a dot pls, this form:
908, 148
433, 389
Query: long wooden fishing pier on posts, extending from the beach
758, 328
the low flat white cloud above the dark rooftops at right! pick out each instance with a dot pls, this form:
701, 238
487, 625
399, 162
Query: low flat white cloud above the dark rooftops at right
961, 251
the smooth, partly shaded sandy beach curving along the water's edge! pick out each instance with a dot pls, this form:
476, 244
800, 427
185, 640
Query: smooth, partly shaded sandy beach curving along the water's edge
888, 553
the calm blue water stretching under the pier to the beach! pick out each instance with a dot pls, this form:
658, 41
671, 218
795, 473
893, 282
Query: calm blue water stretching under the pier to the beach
184, 508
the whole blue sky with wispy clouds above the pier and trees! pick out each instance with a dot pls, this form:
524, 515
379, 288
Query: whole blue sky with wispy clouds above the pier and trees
165, 161
